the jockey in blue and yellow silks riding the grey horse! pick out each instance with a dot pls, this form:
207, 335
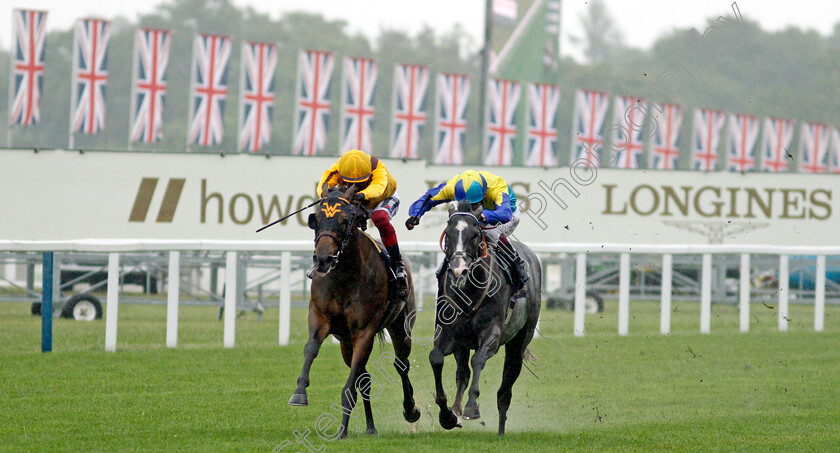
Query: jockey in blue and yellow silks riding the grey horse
500, 216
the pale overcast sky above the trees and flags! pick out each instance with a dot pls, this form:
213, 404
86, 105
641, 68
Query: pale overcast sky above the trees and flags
640, 21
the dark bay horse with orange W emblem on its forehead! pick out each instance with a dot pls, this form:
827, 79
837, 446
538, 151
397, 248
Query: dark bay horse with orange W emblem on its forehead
349, 299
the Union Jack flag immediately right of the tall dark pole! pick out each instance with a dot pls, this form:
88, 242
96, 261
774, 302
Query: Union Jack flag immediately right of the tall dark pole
500, 129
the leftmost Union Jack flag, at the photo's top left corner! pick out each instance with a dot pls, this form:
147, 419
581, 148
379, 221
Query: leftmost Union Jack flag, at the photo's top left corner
27, 66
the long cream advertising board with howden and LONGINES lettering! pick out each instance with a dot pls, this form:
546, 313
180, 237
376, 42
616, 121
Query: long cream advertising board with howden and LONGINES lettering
57, 195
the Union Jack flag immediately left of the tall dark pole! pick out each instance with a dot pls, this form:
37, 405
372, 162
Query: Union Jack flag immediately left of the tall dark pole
453, 90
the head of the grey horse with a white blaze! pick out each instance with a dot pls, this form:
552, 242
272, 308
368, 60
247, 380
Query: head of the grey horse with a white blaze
464, 243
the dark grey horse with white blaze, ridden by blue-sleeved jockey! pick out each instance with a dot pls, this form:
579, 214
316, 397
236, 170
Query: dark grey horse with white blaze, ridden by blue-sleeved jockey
473, 304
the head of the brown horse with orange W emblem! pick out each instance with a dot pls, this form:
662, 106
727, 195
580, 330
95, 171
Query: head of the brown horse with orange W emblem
333, 223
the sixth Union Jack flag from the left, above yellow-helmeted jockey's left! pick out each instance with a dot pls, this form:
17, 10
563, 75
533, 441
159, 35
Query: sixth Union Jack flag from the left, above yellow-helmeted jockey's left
313, 101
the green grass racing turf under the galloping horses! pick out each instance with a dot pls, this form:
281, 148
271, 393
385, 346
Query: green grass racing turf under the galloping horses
761, 391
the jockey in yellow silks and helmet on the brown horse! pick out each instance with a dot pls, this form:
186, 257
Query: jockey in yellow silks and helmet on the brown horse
377, 192
